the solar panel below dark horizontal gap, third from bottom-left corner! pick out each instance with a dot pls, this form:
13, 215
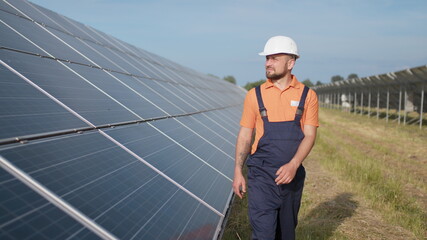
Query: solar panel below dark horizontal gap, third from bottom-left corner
177, 163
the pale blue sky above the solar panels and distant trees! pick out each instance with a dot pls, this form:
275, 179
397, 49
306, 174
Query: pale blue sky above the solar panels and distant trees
334, 37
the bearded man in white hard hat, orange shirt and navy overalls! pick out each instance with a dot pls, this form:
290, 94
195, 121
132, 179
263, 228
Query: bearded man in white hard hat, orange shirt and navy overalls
285, 115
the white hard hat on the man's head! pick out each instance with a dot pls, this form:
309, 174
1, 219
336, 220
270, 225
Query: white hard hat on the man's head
280, 44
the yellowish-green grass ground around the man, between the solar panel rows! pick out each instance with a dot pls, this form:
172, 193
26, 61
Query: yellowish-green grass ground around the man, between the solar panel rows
366, 179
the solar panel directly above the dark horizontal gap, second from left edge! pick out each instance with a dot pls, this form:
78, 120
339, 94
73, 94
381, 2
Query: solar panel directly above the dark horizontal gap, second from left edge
69, 88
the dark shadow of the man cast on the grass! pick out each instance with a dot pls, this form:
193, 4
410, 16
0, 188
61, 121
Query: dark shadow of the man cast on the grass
323, 220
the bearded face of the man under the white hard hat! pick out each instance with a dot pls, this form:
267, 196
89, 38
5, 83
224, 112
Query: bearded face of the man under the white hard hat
277, 66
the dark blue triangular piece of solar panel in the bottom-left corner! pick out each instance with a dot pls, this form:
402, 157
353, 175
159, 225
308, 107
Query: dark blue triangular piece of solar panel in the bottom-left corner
24, 214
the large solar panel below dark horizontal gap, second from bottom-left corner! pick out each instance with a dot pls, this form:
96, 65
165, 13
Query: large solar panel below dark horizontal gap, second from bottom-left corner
106, 184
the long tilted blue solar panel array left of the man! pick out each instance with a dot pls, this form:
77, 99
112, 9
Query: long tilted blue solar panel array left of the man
101, 139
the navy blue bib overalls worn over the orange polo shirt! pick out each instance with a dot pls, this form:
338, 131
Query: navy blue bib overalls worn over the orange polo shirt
273, 209
